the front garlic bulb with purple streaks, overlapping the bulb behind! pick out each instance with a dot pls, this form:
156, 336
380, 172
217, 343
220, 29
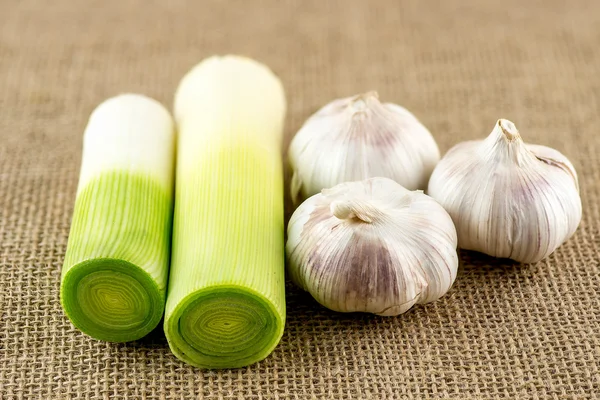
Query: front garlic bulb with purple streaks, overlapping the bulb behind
372, 246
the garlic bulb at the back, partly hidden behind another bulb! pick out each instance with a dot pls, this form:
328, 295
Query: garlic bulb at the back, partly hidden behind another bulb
356, 138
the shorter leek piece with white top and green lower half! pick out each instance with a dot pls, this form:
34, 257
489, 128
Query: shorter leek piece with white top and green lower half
116, 265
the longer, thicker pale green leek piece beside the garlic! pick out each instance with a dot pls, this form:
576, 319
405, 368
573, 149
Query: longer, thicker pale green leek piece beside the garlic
226, 299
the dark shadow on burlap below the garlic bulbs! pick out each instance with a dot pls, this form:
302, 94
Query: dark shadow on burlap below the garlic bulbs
478, 276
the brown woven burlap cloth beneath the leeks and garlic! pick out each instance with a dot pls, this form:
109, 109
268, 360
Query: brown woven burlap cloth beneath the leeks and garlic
504, 331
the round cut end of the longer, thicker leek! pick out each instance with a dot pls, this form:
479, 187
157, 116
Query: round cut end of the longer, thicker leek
224, 327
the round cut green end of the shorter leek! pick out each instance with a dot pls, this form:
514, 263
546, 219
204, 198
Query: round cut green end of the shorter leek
111, 299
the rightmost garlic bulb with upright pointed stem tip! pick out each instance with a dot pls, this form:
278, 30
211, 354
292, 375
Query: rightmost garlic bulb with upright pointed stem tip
508, 199
